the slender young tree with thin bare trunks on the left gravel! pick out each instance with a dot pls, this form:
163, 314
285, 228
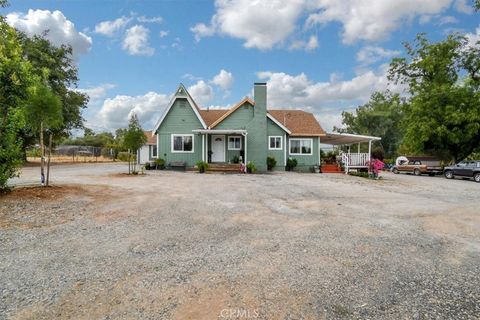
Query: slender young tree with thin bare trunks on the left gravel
44, 112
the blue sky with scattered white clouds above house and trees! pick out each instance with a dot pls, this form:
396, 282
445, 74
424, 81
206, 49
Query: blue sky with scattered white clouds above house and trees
322, 56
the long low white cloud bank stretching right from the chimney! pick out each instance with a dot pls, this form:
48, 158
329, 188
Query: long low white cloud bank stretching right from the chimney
324, 99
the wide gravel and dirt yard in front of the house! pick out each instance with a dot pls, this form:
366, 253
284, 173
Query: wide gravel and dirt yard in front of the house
171, 245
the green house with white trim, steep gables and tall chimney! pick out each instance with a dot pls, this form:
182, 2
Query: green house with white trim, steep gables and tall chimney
248, 131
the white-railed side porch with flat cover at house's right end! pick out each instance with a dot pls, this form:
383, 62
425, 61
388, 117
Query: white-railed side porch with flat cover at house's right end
348, 158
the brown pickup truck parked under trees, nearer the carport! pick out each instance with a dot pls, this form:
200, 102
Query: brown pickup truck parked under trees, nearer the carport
418, 165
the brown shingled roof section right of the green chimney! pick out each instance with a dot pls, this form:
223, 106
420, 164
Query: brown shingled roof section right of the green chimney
299, 122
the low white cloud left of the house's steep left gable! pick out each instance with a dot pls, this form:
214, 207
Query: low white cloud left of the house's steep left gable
116, 112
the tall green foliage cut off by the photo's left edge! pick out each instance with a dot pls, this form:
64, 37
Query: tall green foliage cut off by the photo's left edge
15, 79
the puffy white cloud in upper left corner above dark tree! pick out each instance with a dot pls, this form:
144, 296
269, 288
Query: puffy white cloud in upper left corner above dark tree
60, 30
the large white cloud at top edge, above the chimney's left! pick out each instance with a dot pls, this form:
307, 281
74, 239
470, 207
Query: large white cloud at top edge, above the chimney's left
261, 24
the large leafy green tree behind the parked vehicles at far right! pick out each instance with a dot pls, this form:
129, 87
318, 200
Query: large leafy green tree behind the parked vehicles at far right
443, 116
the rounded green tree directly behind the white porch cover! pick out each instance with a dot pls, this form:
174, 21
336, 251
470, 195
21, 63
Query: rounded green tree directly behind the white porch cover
380, 117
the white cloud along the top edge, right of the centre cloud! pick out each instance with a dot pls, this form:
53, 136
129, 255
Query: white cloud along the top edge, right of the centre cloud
373, 20
